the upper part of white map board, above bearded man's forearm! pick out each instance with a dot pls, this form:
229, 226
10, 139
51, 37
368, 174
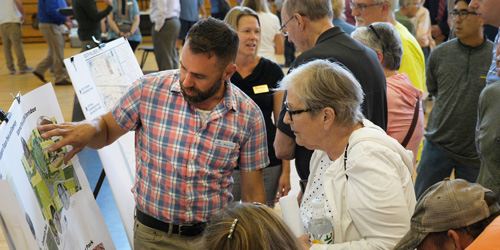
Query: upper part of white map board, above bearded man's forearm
101, 75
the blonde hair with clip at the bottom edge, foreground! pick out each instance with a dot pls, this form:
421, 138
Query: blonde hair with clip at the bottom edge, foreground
247, 226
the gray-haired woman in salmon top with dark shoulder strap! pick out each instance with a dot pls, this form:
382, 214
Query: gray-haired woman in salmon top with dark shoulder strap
405, 121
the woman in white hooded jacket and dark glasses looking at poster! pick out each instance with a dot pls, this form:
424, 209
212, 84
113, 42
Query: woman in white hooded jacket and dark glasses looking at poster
363, 174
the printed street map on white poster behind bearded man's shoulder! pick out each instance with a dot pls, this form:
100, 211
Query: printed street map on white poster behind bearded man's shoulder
111, 72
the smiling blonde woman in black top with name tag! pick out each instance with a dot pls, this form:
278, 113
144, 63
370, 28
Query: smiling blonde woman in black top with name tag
258, 77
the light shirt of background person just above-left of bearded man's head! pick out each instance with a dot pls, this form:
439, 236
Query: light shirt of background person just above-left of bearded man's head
159, 10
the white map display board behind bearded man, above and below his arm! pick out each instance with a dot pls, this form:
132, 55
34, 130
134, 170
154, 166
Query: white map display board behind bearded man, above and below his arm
100, 76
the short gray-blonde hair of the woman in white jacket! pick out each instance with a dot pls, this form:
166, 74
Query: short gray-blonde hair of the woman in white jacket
322, 83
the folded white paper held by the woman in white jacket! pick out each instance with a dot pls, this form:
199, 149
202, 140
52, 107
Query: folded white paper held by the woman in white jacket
291, 214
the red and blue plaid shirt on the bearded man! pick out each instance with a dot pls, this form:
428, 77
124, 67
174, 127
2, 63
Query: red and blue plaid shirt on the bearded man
184, 166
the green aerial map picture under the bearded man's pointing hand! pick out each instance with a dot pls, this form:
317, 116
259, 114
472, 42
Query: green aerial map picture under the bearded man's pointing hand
53, 182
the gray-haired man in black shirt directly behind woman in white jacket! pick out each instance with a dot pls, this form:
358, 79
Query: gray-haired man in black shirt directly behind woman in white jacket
308, 24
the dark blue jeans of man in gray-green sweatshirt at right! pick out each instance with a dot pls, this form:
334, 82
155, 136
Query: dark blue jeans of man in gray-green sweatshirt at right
434, 166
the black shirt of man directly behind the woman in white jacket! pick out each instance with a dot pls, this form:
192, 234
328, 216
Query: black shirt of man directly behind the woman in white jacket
336, 46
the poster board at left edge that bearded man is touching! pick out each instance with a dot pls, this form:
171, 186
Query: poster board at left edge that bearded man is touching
45, 203
